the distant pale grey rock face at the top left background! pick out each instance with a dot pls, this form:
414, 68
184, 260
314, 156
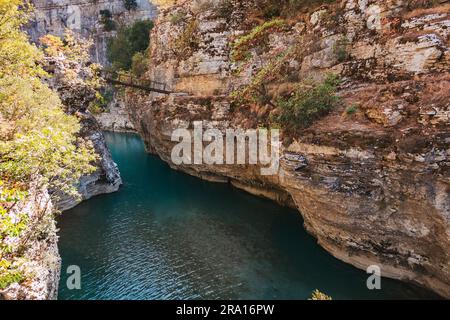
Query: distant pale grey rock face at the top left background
83, 17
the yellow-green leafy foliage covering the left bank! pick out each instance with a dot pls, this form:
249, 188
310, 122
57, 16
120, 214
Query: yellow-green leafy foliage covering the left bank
38, 140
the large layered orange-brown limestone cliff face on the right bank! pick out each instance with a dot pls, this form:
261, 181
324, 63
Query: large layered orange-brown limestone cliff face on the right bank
373, 187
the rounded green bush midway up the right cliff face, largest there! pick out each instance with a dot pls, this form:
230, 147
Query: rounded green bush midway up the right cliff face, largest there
310, 102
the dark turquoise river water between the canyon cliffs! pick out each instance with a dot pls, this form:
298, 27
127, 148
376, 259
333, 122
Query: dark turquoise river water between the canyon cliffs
166, 235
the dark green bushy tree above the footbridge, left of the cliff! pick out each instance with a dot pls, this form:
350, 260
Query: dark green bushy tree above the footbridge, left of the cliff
128, 41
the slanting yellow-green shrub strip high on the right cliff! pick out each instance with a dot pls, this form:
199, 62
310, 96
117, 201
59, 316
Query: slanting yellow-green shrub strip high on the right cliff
241, 46
